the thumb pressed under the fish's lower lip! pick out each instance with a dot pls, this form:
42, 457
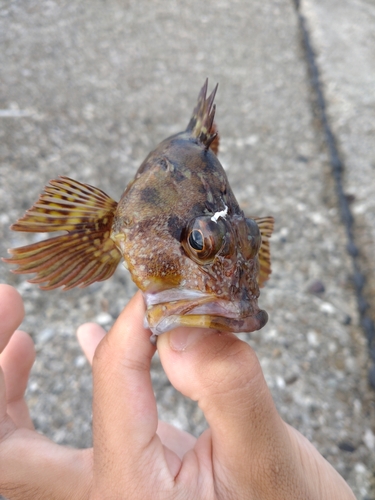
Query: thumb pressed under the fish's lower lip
222, 373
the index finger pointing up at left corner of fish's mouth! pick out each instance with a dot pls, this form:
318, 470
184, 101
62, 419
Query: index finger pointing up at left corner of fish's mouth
124, 408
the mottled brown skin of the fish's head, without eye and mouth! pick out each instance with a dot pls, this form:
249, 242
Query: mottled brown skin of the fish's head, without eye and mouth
177, 183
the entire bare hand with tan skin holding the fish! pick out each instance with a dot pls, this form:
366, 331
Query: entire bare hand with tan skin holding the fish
248, 452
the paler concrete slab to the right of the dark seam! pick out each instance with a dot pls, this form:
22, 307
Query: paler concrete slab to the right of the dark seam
343, 38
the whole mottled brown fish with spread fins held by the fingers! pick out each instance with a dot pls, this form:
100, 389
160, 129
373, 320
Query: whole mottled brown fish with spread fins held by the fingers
190, 249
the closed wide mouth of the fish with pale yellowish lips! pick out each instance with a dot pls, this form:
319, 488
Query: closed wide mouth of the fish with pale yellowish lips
169, 309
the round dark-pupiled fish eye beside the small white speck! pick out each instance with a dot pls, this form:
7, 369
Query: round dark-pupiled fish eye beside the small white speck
203, 239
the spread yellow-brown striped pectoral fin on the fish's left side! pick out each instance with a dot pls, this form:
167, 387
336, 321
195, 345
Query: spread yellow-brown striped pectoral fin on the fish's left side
82, 256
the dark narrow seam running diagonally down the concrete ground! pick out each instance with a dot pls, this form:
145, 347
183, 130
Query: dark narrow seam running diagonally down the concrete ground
337, 167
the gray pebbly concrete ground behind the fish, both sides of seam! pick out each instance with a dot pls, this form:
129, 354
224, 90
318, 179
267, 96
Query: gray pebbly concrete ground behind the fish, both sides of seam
87, 89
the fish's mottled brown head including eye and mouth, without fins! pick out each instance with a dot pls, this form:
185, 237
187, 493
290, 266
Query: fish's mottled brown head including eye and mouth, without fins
187, 243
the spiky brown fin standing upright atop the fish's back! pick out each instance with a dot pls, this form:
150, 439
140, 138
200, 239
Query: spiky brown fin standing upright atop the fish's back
201, 124
